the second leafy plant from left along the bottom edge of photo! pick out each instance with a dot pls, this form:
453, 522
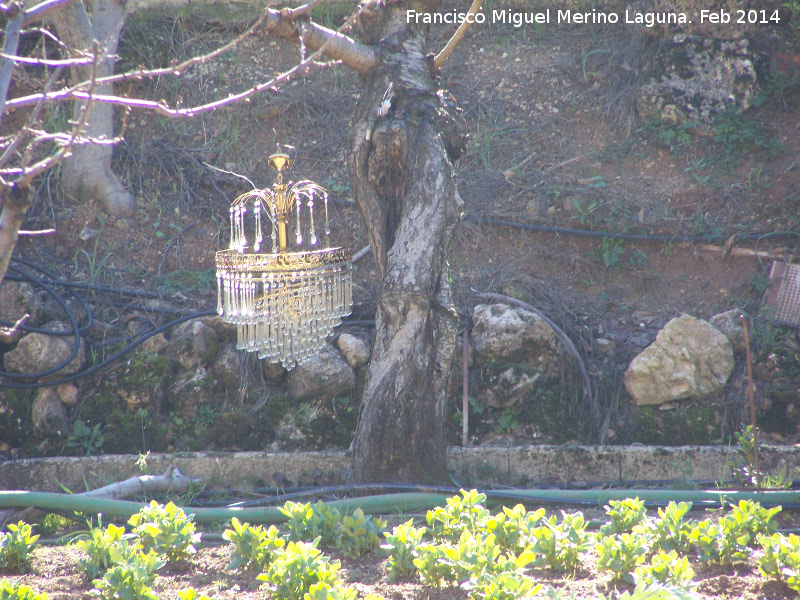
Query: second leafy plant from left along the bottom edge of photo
131, 575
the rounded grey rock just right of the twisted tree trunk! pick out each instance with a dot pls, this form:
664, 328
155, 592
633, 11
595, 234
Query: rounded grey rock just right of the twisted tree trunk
503, 333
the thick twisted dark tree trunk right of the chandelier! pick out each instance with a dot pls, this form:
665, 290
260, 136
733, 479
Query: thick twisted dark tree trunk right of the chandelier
402, 175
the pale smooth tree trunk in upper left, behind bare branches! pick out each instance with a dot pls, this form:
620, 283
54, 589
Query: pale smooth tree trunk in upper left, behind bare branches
87, 174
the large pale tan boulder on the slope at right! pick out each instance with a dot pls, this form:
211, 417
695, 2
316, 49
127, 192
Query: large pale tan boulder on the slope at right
689, 359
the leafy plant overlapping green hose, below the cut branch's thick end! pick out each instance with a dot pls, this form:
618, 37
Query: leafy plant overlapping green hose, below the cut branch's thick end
166, 530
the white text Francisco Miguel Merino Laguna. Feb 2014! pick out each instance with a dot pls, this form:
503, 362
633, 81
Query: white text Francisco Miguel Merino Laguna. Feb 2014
648, 19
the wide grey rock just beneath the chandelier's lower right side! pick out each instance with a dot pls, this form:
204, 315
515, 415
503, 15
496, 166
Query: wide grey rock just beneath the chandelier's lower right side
324, 375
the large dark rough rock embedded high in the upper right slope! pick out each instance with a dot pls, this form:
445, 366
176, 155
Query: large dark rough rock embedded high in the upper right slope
697, 79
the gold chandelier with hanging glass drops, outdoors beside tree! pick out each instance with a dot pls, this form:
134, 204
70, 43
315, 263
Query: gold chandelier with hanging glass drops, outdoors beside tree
284, 303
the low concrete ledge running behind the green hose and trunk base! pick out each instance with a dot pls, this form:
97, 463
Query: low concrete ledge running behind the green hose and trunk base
518, 466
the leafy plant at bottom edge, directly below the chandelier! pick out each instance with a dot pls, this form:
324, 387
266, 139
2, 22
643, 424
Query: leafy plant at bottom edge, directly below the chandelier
296, 568
